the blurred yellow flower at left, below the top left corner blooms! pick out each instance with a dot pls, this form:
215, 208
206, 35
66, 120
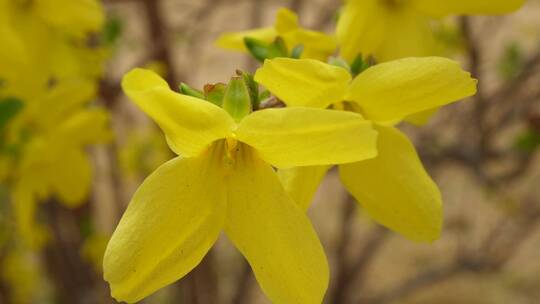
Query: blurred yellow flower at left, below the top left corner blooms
53, 160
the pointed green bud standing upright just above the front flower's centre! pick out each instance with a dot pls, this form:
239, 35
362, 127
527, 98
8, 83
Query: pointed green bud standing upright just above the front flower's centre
237, 99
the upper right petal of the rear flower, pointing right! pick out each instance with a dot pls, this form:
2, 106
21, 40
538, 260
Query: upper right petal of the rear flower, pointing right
396, 89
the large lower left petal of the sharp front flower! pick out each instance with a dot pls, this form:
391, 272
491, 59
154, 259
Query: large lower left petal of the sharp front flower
172, 221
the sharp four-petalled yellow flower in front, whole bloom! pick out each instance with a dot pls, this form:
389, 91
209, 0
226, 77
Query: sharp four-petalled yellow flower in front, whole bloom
223, 180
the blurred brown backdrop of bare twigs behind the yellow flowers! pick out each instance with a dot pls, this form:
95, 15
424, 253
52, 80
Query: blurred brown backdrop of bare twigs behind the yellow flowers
483, 153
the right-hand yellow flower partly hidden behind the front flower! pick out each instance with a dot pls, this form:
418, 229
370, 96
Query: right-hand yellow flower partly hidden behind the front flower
393, 188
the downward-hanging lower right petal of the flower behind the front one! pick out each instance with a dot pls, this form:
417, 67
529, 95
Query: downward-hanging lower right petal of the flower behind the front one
395, 190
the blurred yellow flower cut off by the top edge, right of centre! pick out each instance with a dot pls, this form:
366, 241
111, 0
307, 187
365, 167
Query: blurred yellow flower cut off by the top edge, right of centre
392, 29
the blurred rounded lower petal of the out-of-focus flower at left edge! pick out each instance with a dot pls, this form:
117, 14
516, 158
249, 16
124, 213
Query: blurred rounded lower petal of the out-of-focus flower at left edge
71, 177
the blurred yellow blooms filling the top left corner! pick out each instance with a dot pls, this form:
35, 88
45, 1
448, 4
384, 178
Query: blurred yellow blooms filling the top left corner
46, 39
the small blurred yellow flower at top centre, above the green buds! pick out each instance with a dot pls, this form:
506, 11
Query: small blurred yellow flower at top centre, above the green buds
316, 45
